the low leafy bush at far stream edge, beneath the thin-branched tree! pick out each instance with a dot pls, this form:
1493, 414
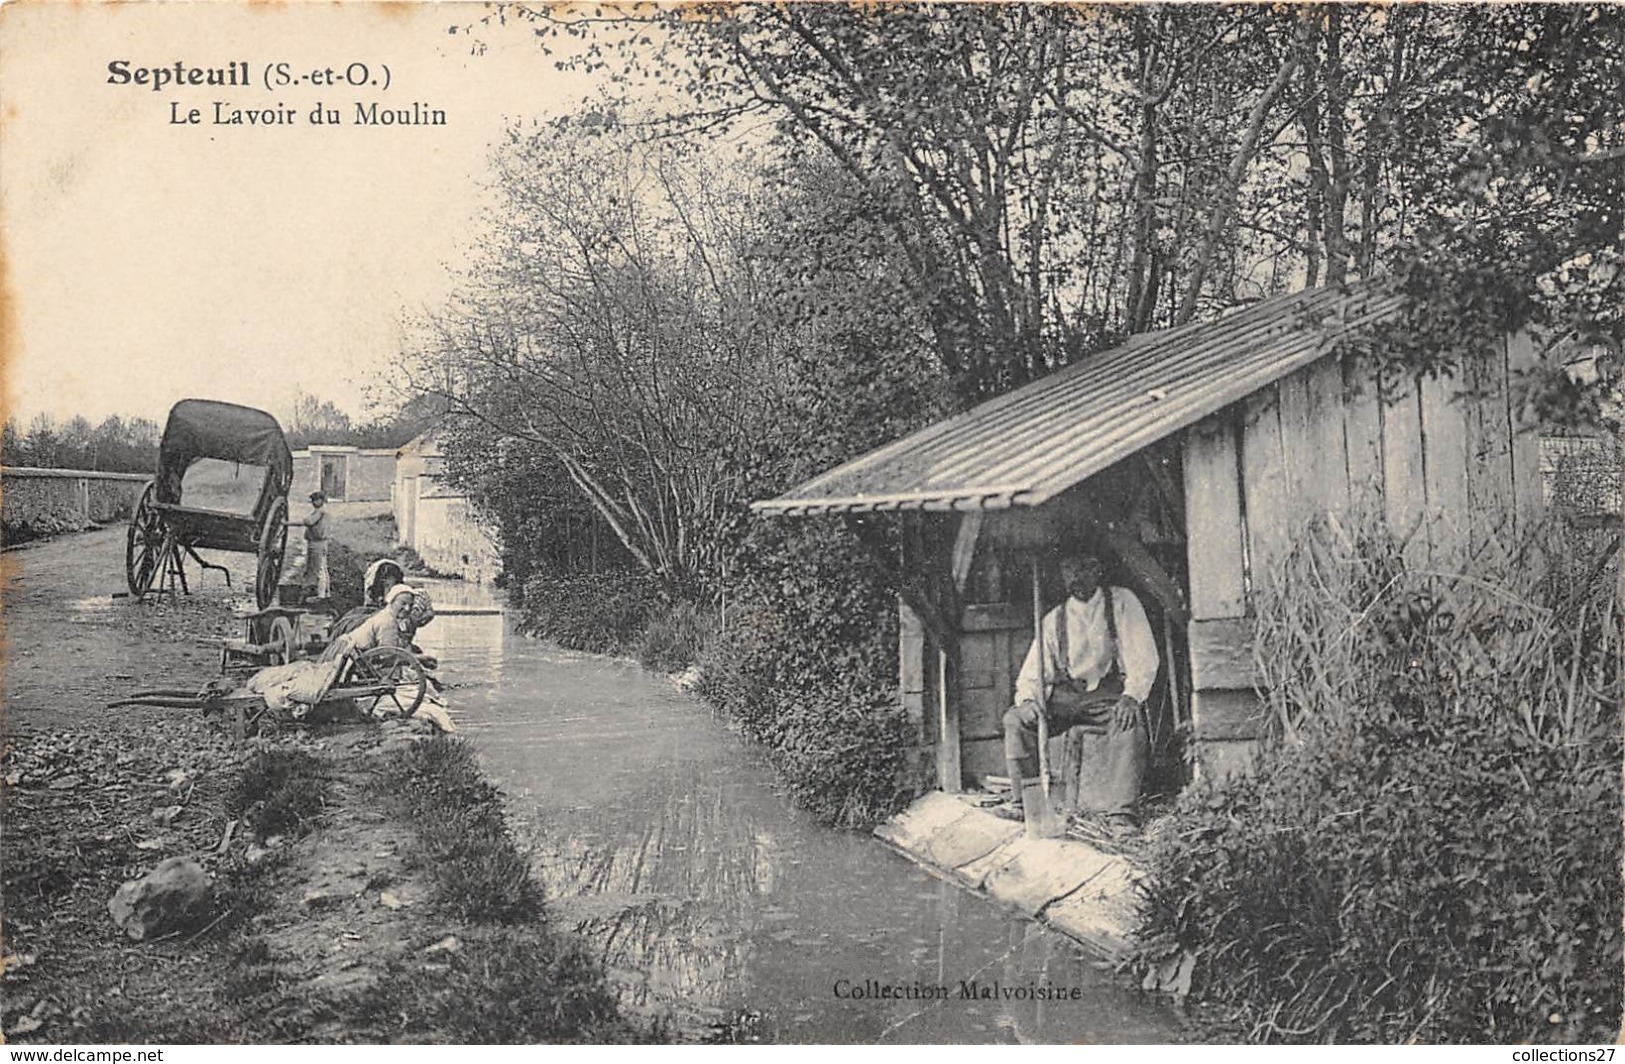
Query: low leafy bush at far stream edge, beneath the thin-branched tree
599, 613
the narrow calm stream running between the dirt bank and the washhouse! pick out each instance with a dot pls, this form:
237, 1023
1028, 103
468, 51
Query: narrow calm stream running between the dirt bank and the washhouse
714, 902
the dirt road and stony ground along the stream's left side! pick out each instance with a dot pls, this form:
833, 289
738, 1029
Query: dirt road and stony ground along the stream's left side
313, 917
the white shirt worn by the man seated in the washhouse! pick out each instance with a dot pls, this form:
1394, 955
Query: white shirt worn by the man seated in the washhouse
1091, 651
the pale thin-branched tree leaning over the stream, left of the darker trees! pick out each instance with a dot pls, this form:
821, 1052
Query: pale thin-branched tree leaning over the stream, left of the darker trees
610, 334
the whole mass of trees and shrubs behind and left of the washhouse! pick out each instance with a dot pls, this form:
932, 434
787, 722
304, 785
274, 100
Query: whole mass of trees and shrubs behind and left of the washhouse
851, 222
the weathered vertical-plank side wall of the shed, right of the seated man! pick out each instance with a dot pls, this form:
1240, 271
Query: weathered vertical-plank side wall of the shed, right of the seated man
1450, 470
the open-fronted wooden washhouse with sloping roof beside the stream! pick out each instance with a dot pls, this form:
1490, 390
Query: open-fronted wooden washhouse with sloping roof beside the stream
1187, 461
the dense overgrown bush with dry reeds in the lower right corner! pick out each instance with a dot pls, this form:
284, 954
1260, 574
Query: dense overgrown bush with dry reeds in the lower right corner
1432, 850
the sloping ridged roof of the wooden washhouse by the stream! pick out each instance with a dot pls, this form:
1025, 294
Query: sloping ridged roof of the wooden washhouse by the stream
1029, 446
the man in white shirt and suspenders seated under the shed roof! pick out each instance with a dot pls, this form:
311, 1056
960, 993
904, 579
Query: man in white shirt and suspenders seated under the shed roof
1094, 670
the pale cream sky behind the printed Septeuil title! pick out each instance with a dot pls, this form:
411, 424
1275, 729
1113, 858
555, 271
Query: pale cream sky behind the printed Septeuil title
150, 259
